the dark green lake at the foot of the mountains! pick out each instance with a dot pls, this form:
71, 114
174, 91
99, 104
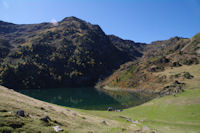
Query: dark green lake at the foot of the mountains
86, 98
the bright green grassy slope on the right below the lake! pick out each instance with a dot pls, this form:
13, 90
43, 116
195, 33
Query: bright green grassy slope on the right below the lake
169, 114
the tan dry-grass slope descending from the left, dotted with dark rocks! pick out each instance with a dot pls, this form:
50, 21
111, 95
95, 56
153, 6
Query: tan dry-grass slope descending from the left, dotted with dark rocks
69, 120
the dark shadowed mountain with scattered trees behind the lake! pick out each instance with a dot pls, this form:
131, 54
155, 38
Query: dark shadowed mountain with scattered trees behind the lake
72, 53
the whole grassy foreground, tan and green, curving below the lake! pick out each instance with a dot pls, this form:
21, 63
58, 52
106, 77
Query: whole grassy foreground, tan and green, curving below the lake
169, 114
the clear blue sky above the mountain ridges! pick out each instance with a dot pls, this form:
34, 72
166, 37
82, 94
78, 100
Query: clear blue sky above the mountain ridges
138, 20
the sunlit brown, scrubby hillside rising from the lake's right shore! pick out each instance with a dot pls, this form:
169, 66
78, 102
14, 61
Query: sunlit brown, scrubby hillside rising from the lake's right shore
143, 74
